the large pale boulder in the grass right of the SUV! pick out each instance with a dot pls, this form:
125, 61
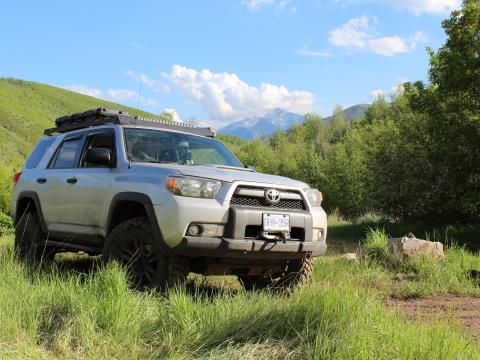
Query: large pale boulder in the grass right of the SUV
409, 247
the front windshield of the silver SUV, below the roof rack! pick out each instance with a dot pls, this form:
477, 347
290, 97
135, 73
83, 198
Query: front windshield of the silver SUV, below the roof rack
144, 145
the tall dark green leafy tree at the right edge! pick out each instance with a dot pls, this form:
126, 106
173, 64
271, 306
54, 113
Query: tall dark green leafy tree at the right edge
450, 106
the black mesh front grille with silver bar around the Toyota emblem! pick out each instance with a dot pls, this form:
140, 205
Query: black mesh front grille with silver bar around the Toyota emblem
253, 197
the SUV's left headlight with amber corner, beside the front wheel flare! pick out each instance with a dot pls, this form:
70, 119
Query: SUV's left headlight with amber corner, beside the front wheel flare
193, 187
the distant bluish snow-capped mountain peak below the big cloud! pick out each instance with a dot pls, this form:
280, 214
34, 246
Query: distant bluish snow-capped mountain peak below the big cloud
257, 126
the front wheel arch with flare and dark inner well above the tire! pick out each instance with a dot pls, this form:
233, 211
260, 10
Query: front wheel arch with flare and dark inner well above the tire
126, 205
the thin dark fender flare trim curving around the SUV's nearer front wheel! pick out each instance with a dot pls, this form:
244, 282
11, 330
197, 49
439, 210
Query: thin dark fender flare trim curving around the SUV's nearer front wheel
147, 204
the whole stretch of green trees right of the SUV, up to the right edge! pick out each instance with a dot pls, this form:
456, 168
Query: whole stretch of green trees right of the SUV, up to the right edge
416, 156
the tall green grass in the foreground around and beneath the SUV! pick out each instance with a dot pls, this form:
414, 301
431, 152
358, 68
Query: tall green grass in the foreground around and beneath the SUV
77, 308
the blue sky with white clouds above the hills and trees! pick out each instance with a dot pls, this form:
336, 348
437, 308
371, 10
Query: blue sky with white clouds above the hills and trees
220, 61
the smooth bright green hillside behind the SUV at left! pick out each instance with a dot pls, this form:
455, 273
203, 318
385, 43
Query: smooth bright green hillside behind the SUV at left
26, 109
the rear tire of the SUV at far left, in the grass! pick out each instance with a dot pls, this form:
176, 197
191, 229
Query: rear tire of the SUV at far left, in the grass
30, 240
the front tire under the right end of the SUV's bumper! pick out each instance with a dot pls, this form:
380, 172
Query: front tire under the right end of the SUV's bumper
295, 274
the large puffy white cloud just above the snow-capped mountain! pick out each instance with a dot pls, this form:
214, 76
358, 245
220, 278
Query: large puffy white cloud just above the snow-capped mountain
223, 96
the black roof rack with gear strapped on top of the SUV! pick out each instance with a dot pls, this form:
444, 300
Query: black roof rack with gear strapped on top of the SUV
102, 116
